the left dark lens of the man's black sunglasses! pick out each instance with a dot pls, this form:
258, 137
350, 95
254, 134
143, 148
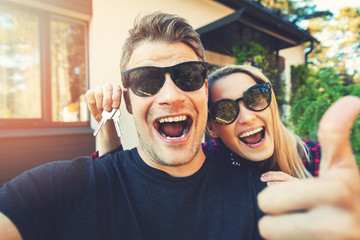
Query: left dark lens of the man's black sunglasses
146, 81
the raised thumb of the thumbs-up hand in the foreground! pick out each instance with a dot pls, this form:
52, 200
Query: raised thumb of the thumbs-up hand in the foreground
334, 136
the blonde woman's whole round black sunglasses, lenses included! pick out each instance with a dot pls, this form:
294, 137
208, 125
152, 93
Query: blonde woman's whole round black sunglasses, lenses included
256, 98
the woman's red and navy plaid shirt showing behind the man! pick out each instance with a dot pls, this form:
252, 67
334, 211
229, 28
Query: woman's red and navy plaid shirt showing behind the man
213, 147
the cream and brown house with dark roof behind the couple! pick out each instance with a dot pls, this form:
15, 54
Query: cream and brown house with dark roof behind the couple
51, 51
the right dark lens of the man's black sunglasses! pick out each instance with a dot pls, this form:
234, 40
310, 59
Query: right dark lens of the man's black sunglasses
189, 76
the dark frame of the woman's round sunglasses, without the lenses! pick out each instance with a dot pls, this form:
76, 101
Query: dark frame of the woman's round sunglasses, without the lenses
267, 85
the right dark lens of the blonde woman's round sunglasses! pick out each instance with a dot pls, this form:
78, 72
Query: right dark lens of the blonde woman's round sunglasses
257, 98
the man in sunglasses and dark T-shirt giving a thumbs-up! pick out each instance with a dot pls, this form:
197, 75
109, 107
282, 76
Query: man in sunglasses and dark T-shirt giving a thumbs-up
166, 188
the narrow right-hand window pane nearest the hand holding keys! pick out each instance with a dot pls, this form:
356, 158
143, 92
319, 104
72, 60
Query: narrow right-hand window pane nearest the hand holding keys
68, 70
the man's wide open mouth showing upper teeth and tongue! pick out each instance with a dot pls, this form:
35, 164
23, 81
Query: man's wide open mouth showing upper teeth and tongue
174, 127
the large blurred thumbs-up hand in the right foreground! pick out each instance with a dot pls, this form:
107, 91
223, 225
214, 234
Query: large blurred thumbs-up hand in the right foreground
305, 209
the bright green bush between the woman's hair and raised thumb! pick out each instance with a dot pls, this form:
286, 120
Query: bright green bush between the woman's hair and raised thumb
314, 96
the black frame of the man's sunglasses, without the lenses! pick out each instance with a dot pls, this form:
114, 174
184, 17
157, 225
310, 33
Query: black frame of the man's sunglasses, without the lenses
163, 70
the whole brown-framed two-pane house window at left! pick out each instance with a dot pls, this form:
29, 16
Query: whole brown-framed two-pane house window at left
43, 69
